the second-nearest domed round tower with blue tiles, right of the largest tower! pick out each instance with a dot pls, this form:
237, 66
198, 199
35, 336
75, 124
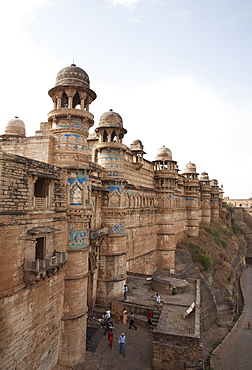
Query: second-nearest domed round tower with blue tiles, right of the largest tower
109, 153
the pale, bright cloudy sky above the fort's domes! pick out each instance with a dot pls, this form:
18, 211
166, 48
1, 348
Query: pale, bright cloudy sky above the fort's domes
177, 71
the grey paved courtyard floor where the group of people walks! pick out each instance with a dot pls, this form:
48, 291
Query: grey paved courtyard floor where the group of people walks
138, 350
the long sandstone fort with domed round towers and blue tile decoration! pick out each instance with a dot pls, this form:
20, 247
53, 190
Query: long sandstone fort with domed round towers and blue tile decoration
80, 212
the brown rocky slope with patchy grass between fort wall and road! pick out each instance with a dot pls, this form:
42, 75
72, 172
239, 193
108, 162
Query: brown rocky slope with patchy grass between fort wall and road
227, 248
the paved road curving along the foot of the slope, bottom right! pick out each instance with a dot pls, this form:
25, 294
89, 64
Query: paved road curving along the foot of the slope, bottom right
235, 352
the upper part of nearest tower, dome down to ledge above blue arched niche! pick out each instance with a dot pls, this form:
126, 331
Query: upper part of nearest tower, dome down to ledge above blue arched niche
70, 119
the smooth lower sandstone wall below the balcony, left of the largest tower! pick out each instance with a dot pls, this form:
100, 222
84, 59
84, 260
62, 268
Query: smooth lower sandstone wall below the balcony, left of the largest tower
30, 325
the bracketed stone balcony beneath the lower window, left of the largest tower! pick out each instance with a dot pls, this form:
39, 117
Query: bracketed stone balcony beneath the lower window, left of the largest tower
40, 269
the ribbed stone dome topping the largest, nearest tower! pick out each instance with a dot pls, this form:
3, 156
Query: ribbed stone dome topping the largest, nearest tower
72, 75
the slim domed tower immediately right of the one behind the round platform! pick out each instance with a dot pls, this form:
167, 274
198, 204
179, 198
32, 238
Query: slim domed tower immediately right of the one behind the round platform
191, 189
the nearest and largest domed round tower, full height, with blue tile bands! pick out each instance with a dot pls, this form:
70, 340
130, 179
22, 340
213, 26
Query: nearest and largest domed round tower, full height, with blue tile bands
69, 124
